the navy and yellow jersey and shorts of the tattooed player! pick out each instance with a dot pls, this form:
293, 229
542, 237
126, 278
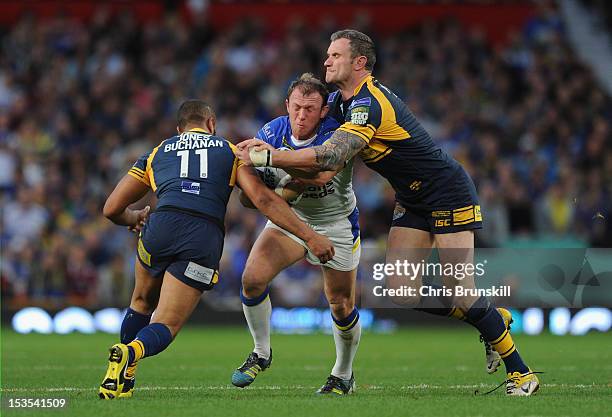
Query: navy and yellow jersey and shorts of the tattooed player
433, 191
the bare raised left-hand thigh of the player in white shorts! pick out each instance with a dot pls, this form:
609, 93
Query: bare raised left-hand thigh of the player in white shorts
272, 252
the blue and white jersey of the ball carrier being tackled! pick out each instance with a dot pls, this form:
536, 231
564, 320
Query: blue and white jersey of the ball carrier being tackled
332, 201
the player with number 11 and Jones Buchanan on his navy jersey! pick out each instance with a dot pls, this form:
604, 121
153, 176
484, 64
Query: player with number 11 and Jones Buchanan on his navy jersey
180, 244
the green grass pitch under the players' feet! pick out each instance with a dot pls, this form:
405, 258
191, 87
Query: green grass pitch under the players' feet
420, 372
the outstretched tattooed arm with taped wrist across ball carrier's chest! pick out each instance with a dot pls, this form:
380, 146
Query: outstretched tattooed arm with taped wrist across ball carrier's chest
331, 156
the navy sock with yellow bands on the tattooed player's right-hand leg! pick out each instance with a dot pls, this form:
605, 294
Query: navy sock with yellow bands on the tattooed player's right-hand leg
490, 324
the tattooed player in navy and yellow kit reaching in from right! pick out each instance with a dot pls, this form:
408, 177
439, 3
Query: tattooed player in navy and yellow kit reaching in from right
436, 201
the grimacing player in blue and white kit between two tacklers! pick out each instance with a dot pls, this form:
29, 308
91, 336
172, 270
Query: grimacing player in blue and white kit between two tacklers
328, 205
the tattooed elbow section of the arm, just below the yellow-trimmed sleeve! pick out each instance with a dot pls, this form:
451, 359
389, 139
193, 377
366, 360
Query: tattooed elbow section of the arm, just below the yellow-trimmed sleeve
334, 153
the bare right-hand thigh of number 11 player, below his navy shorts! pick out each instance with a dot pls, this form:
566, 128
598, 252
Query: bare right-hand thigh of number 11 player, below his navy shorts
176, 303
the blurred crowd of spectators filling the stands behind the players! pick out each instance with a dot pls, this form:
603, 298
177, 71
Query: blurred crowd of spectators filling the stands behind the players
80, 102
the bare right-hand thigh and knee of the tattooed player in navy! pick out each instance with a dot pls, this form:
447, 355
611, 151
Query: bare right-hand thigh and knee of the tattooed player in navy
457, 249
